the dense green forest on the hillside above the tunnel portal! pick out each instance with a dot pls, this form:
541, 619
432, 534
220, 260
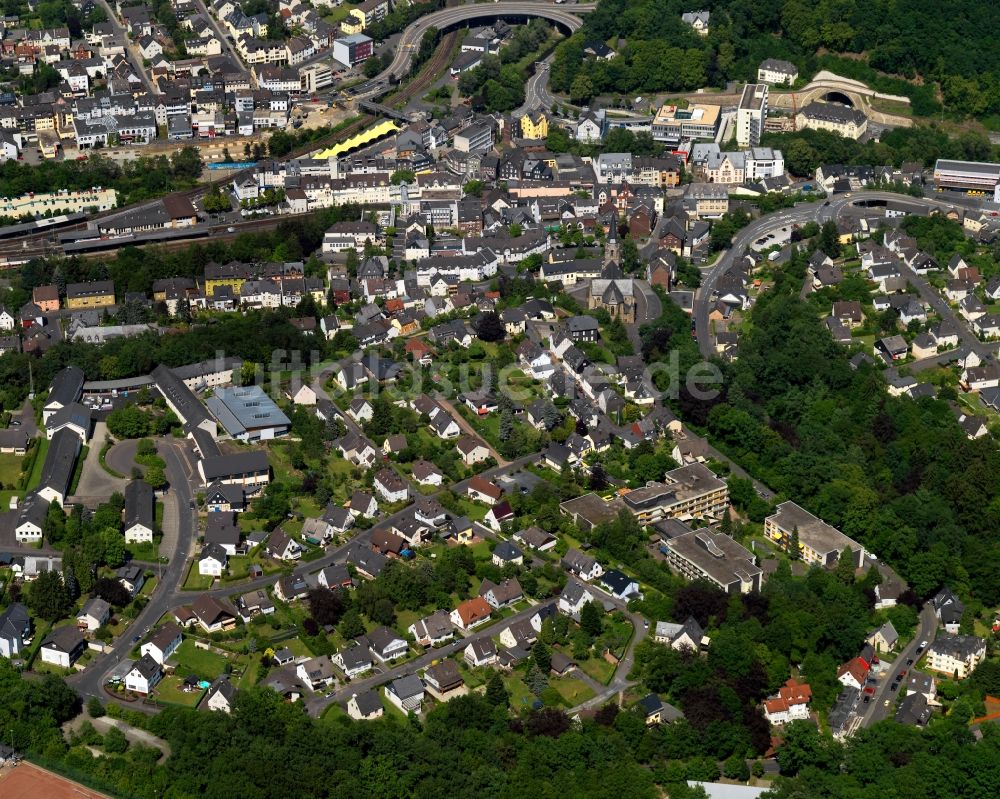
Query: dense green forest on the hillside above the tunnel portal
911, 45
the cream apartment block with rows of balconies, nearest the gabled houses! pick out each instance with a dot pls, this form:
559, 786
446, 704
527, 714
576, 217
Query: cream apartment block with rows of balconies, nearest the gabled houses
690, 492
